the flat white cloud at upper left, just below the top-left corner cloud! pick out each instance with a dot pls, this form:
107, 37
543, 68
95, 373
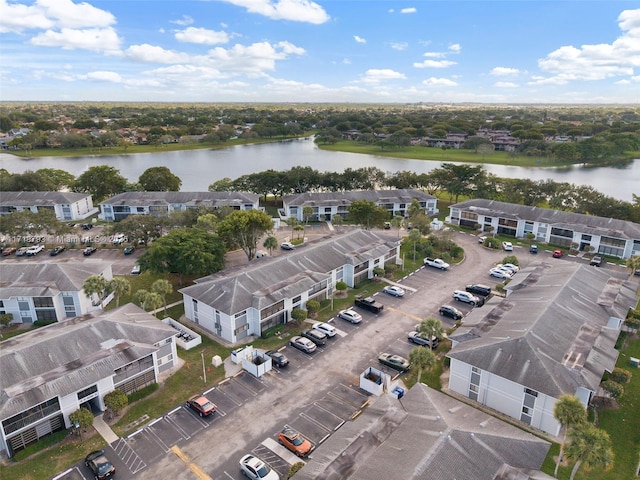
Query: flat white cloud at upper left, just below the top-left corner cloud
104, 40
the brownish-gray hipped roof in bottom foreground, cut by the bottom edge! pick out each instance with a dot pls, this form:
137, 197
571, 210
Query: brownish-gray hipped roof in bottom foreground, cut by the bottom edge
424, 435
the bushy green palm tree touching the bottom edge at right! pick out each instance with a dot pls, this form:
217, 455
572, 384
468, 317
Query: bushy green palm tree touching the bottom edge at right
591, 446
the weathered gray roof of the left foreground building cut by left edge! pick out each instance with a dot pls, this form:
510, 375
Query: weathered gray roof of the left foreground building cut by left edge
65, 357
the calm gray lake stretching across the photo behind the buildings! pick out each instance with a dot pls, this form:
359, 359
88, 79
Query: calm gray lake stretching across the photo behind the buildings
199, 168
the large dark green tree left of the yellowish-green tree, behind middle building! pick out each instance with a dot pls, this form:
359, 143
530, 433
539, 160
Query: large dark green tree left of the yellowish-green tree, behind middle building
185, 251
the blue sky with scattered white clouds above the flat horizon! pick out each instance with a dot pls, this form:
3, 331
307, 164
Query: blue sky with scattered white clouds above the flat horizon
366, 51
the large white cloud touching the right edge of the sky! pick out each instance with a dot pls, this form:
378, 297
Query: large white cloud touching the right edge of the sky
596, 62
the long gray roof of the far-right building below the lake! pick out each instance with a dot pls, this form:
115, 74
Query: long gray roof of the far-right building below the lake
572, 221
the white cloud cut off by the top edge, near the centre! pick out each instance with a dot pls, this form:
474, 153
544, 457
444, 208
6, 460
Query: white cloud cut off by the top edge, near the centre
294, 10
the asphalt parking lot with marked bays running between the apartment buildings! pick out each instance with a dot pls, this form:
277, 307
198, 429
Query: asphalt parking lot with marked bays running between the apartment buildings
314, 395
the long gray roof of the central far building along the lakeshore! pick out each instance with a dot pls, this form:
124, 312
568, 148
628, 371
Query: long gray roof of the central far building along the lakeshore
346, 198
